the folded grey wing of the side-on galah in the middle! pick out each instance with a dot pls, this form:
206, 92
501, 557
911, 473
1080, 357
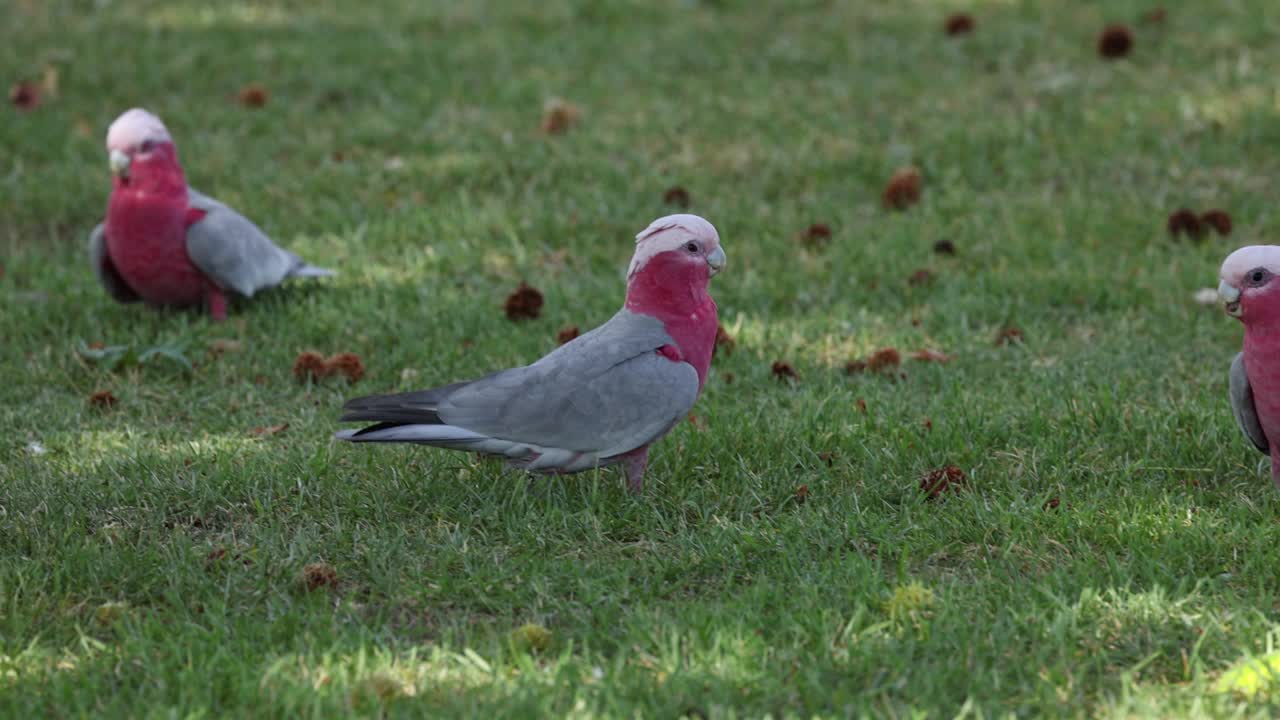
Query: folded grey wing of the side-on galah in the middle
606, 393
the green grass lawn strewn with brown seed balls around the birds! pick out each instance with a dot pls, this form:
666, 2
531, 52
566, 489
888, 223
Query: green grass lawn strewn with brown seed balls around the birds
152, 560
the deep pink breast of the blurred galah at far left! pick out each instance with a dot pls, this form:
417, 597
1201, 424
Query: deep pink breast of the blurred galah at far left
147, 238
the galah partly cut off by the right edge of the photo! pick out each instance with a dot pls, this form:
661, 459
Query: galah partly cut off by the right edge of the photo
1251, 293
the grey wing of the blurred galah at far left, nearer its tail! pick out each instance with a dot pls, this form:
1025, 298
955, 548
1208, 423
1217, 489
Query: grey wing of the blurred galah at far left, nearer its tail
235, 253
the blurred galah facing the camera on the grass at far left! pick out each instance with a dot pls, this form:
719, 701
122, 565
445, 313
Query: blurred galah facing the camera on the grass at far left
166, 244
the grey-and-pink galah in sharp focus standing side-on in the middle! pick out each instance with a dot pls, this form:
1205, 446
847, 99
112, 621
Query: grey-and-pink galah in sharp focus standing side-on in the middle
601, 399
